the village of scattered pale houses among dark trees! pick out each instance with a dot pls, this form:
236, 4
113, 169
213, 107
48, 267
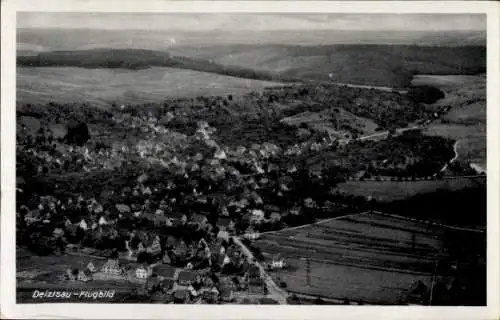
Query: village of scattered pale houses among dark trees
174, 212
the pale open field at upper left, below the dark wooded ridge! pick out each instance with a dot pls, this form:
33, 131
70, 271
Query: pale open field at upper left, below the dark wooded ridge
104, 86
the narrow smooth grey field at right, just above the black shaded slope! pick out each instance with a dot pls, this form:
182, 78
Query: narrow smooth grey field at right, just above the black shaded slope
397, 190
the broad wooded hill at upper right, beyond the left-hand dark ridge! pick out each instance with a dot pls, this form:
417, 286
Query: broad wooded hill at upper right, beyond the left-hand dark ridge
384, 65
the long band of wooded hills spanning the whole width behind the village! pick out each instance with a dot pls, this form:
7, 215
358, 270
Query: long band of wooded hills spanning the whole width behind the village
370, 64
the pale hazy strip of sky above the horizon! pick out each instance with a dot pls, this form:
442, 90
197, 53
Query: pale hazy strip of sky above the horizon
257, 22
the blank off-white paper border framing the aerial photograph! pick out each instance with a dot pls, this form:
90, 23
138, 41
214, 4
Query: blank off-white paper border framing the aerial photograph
8, 307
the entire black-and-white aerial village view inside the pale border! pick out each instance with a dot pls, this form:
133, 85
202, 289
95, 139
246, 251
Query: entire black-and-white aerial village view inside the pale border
251, 158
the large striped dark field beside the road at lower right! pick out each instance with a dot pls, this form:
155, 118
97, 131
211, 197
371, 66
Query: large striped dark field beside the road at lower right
366, 257
